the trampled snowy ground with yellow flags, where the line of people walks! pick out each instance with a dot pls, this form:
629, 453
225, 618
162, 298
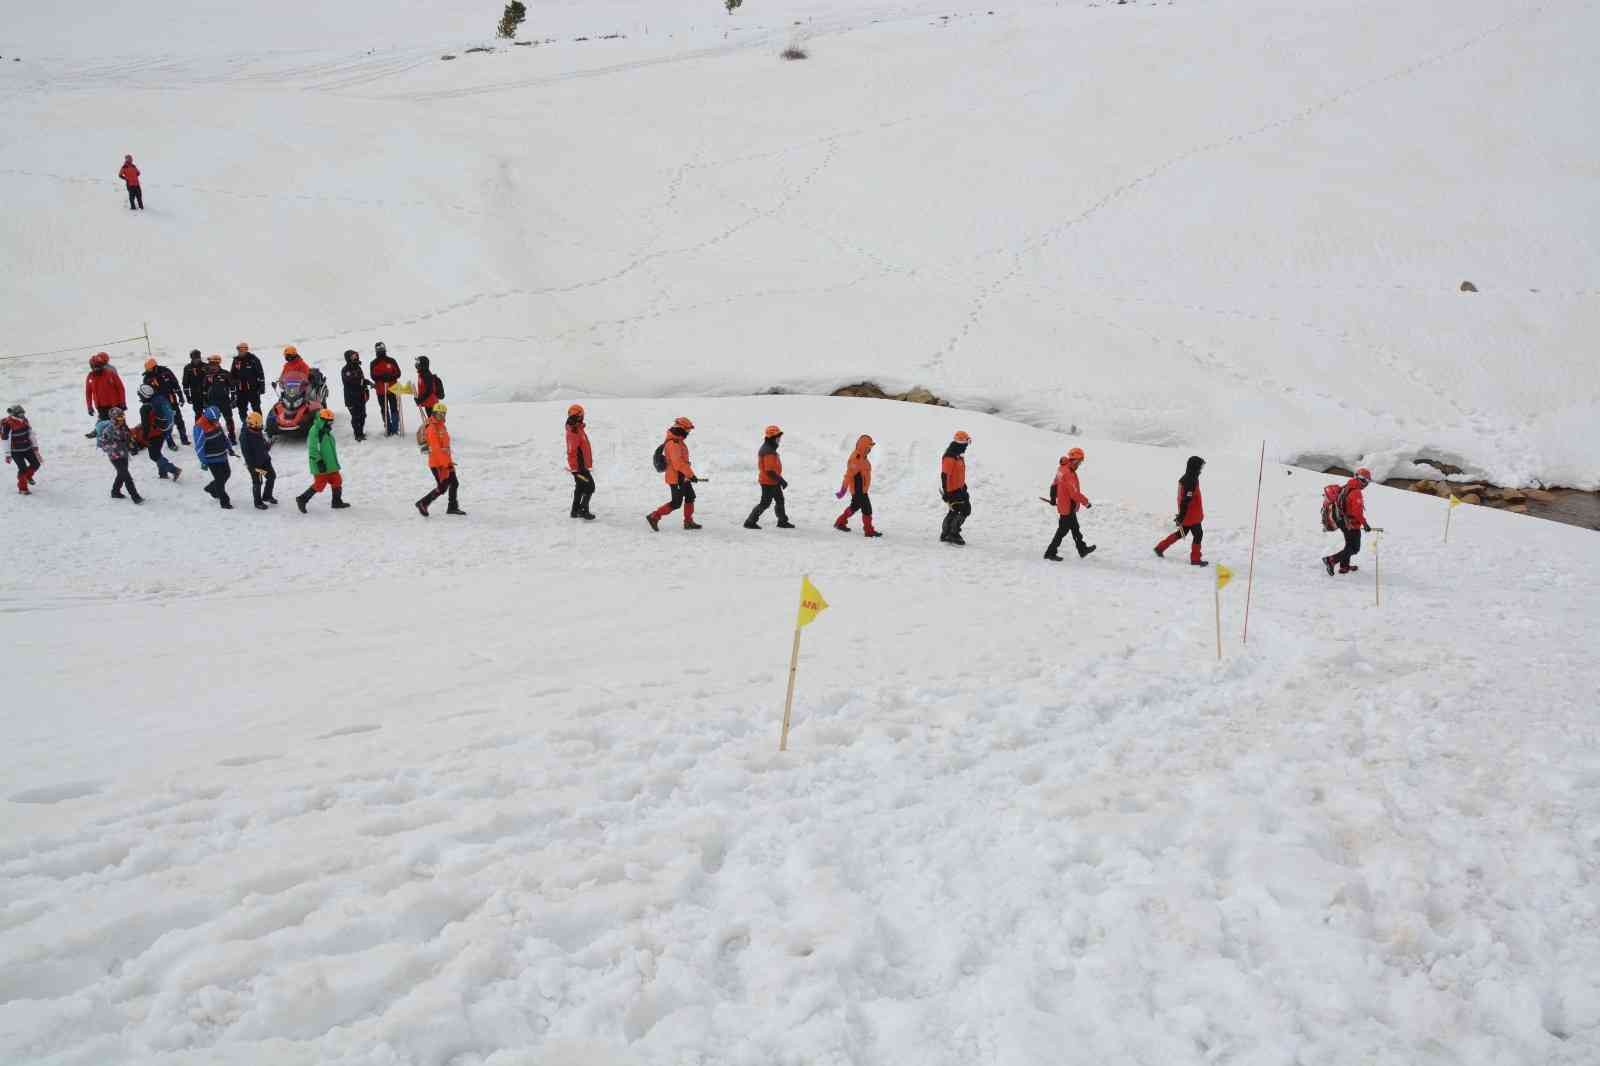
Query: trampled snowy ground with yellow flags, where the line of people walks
361, 788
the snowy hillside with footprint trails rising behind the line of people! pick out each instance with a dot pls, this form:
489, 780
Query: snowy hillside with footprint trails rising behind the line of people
1169, 223
